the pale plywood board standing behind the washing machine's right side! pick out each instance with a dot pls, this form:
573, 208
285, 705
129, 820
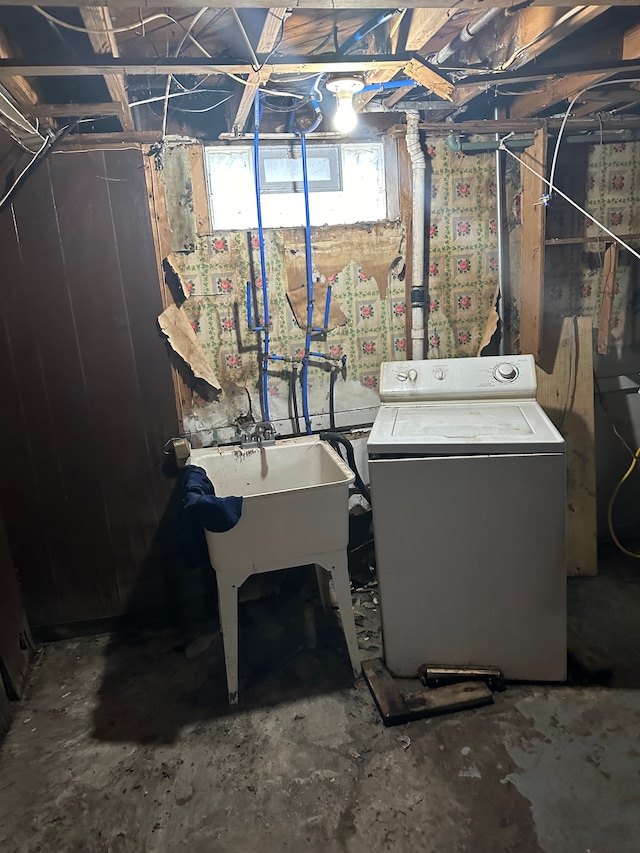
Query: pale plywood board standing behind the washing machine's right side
565, 391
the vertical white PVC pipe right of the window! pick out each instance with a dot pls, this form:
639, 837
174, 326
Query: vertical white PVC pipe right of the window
418, 172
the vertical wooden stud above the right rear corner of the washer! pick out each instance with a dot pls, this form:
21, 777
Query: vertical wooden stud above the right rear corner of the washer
532, 245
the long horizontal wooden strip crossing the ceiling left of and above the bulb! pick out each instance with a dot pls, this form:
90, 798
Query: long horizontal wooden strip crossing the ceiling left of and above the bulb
162, 67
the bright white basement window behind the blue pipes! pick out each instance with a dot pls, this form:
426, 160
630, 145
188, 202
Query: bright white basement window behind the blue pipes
347, 184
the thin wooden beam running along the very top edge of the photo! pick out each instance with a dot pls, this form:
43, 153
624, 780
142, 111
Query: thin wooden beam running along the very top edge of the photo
461, 5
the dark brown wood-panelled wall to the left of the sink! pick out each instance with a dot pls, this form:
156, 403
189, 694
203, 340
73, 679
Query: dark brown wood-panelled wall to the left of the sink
86, 392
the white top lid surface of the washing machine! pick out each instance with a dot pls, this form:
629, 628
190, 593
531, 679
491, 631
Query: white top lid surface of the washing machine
465, 427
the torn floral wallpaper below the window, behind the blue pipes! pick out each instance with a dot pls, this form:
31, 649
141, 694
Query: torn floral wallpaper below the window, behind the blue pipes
216, 274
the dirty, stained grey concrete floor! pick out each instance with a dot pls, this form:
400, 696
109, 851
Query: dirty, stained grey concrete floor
126, 744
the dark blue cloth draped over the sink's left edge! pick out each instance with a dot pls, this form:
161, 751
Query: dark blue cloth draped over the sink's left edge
202, 508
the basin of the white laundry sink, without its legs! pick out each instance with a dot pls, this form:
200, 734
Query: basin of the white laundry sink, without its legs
295, 506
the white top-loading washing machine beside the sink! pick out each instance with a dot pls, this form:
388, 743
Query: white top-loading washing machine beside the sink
468, 492
